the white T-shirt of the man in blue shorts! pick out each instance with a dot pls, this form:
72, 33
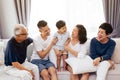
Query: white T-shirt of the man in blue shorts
40, 44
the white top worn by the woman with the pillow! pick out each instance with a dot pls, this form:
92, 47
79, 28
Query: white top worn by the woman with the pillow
82, 50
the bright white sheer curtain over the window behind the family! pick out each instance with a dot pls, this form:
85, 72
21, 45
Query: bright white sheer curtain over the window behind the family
86, 12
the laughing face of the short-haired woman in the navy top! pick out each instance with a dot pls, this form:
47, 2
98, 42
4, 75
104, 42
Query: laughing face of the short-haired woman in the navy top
102, 36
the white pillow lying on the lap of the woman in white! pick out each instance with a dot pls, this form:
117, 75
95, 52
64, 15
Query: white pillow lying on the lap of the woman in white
81, 65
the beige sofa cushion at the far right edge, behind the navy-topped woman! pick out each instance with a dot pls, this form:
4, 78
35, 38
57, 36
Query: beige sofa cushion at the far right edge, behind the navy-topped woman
116, 54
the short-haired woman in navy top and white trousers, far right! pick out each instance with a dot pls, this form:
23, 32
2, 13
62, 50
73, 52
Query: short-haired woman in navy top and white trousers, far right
101, 50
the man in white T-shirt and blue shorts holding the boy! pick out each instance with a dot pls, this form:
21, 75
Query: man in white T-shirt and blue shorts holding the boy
42, 47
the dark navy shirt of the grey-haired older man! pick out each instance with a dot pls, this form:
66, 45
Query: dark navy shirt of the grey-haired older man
16, 52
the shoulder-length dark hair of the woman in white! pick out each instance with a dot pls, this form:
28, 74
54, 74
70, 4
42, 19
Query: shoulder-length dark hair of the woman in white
82, 33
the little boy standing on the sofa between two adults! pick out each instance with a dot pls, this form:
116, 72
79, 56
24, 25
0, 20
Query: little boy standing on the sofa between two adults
63, 39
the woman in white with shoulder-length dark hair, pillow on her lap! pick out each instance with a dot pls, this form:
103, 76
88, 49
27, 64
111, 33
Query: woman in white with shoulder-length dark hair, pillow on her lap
77, 48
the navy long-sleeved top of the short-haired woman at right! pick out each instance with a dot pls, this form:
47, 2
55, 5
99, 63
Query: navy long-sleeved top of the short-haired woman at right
104, 50
